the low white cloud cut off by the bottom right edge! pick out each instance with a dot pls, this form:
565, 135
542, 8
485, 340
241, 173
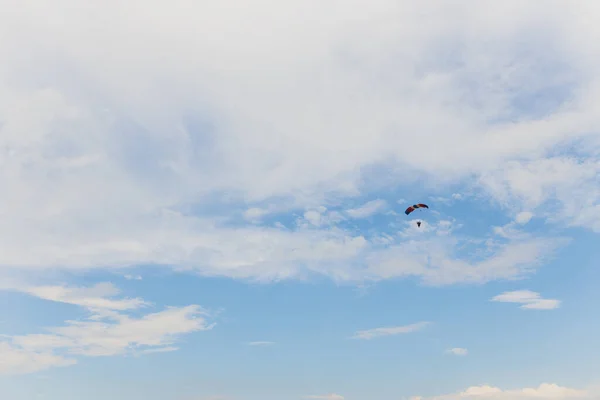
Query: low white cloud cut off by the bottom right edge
544, 391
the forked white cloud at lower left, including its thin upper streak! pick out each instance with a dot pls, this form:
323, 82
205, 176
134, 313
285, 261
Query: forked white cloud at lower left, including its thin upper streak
107, 331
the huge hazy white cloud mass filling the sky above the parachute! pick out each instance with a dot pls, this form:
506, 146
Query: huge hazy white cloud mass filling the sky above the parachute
160, 167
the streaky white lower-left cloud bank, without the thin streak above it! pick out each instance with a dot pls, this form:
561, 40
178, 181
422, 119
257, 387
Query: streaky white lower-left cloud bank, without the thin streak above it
105, 334
